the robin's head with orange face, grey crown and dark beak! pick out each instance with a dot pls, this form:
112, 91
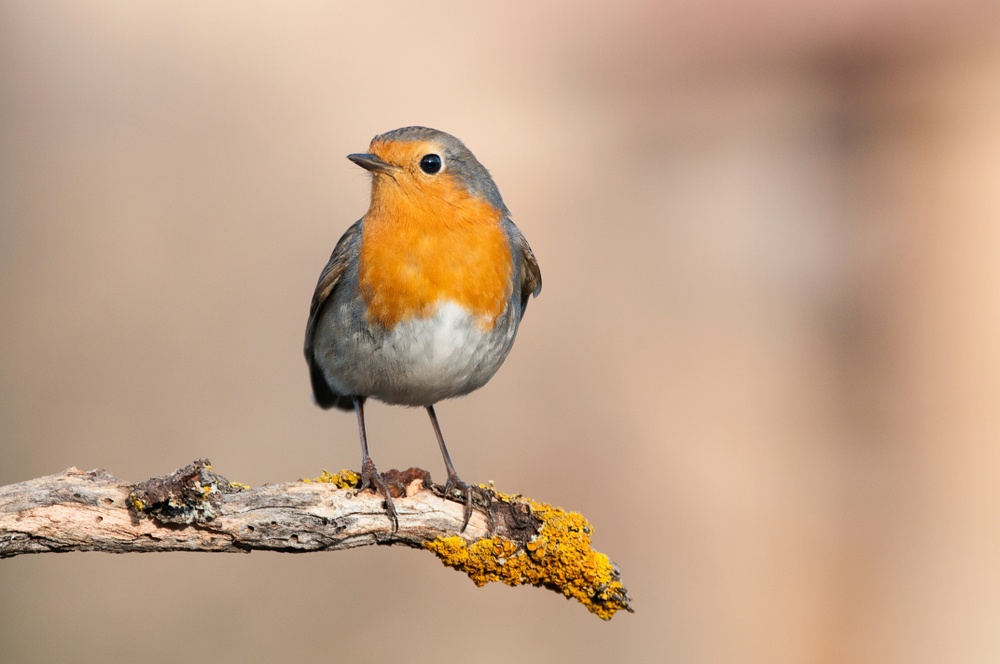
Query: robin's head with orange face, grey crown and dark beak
418, 161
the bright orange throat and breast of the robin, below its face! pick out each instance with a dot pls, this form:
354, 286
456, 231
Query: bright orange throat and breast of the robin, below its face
422, 245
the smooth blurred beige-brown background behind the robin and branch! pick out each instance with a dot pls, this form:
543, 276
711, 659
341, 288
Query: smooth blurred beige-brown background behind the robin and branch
765, 363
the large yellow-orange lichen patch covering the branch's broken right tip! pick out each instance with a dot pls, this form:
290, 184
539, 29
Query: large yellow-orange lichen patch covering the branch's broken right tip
559, 557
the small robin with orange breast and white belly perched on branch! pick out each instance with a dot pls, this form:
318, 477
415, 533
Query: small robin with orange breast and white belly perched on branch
421, 298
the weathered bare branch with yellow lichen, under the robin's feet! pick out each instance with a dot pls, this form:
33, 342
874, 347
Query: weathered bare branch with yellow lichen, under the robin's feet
512, 539
